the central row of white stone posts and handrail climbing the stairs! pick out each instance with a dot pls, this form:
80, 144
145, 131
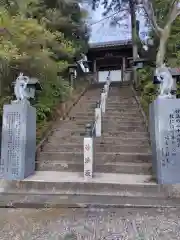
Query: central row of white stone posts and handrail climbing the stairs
94, 130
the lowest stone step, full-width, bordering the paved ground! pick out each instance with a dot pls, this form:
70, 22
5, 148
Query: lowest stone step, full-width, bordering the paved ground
66, 202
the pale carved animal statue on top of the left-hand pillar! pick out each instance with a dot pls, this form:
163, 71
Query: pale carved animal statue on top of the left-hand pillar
20, 88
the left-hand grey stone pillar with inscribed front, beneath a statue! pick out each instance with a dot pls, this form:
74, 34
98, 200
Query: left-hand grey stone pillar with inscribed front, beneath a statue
18, 147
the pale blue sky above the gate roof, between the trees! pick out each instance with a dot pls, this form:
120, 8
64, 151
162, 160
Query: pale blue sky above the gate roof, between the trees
103, 32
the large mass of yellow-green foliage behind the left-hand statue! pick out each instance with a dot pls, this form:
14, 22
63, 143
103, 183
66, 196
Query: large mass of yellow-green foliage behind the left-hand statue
36, 38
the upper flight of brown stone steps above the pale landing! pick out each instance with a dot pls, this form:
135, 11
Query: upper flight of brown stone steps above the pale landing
123, 148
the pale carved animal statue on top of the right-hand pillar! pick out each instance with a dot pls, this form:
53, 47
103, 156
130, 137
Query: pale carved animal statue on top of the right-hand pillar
166, 82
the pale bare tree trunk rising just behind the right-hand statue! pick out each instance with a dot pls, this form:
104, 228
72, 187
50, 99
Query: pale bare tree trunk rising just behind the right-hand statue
162, 46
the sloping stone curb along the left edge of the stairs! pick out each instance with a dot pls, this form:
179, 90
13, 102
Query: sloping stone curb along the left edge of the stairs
50, 128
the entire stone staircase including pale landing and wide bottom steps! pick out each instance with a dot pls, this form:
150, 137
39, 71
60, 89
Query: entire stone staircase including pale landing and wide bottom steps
122, 158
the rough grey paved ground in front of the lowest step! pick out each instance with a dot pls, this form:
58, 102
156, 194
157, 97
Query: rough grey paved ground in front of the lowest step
109, 224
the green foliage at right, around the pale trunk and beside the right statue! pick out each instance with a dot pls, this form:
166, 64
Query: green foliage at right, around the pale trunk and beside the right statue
172, 56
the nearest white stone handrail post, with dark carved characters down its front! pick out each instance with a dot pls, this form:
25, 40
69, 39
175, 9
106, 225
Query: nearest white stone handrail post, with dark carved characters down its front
88, 153
